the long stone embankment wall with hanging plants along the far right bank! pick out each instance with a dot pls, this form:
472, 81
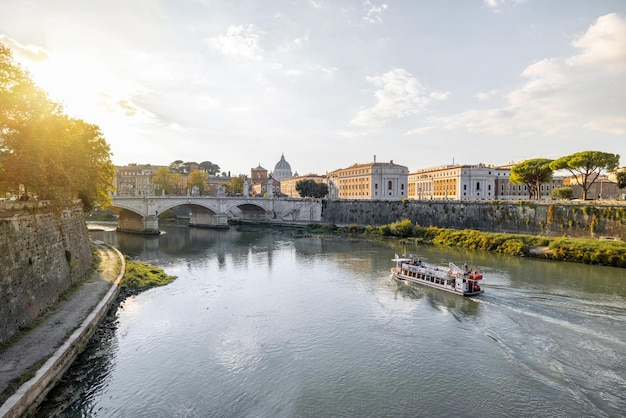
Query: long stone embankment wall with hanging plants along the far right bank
584, 219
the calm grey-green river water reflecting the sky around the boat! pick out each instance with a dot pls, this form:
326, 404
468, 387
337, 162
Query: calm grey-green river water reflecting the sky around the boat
269, 323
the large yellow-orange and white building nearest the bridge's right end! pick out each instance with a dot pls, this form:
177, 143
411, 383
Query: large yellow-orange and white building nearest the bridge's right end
371, 181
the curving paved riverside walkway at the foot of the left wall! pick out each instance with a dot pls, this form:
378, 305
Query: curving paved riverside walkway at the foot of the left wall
52, 346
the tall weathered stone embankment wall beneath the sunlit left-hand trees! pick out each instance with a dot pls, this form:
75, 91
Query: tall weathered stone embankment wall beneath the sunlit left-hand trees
41, 255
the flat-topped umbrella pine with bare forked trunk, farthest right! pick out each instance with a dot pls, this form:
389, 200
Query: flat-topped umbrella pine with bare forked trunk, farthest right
586, 166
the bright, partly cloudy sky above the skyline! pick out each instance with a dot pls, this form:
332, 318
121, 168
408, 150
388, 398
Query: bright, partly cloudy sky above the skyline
332, 83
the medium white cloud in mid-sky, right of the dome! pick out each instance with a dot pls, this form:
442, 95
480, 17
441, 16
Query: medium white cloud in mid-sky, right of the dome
398, 95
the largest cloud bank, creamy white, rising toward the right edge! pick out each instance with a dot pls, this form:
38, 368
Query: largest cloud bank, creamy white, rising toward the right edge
562, 96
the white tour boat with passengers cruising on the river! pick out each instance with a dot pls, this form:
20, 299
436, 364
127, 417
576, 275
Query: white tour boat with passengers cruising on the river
463, 282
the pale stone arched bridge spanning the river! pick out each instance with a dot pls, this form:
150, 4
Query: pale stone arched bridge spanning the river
141, 214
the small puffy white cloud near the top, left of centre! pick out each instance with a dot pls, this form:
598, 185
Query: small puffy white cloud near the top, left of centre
239, 41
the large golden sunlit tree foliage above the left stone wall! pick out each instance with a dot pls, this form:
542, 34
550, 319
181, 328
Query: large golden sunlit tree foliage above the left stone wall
53, 156
